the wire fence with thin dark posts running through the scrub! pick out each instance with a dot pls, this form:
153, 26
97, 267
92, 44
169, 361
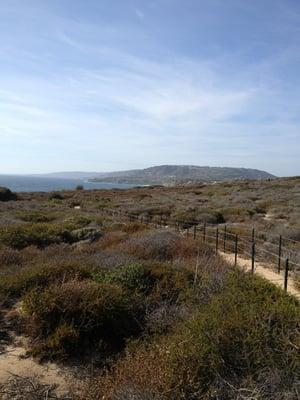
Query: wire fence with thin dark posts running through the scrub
281, 254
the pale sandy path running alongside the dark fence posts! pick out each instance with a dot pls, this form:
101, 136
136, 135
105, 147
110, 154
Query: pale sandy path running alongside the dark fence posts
271, 276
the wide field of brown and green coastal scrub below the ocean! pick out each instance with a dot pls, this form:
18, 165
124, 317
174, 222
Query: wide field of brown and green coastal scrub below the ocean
133, 310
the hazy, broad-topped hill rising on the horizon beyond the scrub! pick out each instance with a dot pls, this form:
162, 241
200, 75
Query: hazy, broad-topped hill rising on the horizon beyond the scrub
175, 174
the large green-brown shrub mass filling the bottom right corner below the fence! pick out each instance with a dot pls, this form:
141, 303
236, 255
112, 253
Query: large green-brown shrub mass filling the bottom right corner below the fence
248, 333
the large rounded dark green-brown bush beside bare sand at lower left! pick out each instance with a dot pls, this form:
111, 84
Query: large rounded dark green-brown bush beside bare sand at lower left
68, 318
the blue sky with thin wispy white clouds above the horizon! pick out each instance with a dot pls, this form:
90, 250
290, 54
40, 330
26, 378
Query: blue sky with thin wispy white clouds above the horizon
101, 85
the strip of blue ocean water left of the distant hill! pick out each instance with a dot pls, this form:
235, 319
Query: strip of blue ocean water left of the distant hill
37, 184
